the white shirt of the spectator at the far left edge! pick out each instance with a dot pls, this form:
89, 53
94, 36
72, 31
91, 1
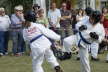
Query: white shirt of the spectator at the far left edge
4, 23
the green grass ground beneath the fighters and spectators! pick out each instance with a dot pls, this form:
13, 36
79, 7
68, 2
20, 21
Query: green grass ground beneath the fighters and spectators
23, 64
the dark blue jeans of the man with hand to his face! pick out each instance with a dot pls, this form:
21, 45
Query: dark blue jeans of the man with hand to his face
18, 42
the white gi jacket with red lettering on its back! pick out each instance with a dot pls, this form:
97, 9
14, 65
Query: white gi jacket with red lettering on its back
37, 29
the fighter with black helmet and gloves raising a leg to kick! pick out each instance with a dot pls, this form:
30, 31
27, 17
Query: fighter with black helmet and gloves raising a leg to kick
90, 31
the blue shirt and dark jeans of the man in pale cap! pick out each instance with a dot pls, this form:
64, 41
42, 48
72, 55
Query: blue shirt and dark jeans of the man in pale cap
16, 33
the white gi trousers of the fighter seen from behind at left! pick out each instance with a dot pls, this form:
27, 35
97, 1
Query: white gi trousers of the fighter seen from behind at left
38, 56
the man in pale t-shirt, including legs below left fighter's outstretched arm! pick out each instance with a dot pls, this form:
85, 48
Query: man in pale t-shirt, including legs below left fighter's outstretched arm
54, 16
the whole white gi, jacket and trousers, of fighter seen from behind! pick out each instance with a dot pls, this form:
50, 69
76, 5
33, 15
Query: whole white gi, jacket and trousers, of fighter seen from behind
40, 48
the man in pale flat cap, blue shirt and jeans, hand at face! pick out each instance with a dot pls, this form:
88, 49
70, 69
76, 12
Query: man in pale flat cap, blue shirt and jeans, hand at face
16, 30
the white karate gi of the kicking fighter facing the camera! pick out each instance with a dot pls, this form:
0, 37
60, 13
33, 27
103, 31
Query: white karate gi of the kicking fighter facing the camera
83, 49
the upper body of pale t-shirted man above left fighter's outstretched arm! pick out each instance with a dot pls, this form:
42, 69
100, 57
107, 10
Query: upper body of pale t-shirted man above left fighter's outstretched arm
54, 16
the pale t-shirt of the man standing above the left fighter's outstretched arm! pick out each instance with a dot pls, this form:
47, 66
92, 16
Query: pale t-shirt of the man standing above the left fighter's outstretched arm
53, 16
